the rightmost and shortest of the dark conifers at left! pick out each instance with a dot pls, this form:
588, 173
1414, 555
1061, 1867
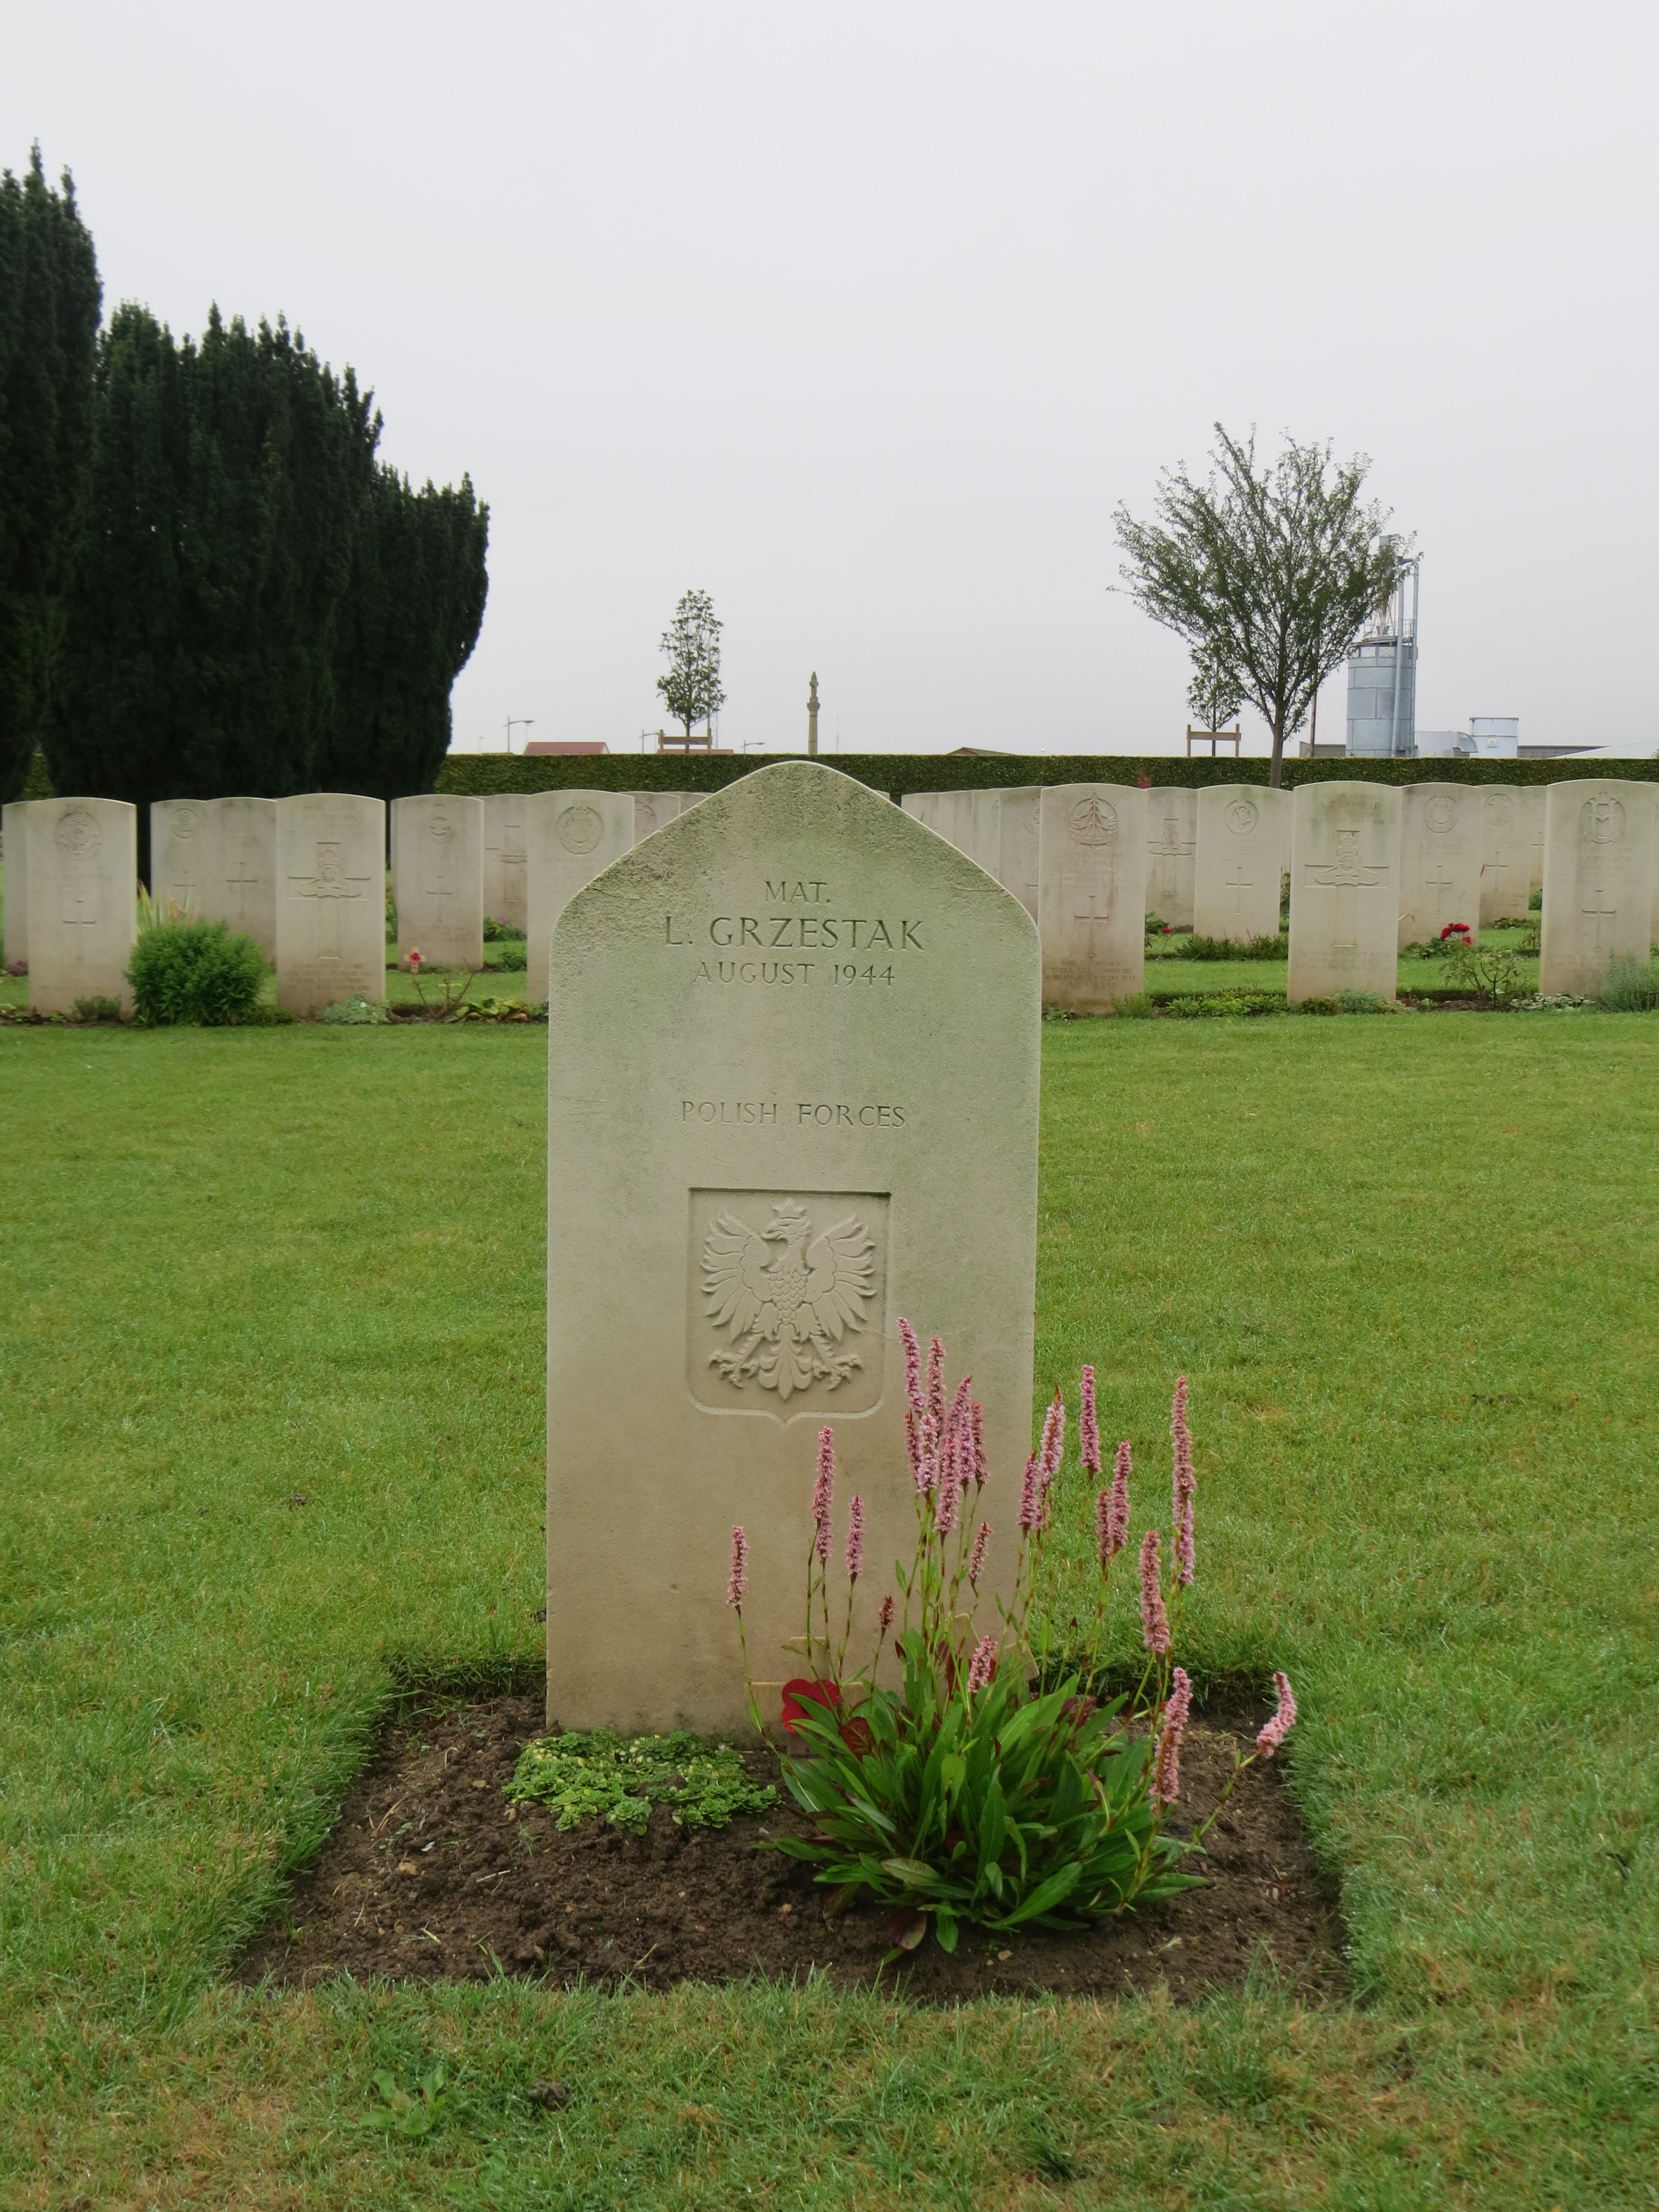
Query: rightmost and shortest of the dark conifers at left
406, 629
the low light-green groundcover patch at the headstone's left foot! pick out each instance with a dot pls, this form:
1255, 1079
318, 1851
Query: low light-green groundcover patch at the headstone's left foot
623, 1777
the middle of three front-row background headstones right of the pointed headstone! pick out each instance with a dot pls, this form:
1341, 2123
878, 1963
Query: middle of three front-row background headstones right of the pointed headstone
1344, 890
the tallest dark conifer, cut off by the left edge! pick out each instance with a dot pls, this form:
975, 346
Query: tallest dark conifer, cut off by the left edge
50, 302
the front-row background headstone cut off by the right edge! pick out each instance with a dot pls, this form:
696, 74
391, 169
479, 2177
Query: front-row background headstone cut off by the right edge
1598, 881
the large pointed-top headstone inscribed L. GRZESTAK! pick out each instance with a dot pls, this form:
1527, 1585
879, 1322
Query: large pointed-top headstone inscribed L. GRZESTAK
762, 1154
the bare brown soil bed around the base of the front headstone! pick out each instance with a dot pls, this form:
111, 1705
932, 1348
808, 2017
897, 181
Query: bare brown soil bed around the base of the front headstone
432, 1875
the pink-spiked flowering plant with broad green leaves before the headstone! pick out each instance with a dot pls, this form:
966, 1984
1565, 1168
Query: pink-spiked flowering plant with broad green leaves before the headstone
983, 1788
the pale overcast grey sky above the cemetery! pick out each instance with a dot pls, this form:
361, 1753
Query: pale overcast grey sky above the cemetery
864, 320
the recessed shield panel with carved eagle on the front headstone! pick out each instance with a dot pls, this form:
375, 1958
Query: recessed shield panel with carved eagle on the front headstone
789, 1302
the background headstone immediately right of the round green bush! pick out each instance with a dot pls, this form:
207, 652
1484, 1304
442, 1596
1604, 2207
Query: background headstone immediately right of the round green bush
331, 899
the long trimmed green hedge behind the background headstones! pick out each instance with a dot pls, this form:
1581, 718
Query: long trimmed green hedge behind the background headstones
481, 775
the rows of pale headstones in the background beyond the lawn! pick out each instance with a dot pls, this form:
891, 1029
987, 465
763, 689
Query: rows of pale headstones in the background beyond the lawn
1370, 870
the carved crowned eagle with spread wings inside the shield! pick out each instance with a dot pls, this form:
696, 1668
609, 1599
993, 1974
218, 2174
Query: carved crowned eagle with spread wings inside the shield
789, 1297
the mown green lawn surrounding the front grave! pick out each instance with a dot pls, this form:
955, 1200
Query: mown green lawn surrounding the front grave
1412, 1273
